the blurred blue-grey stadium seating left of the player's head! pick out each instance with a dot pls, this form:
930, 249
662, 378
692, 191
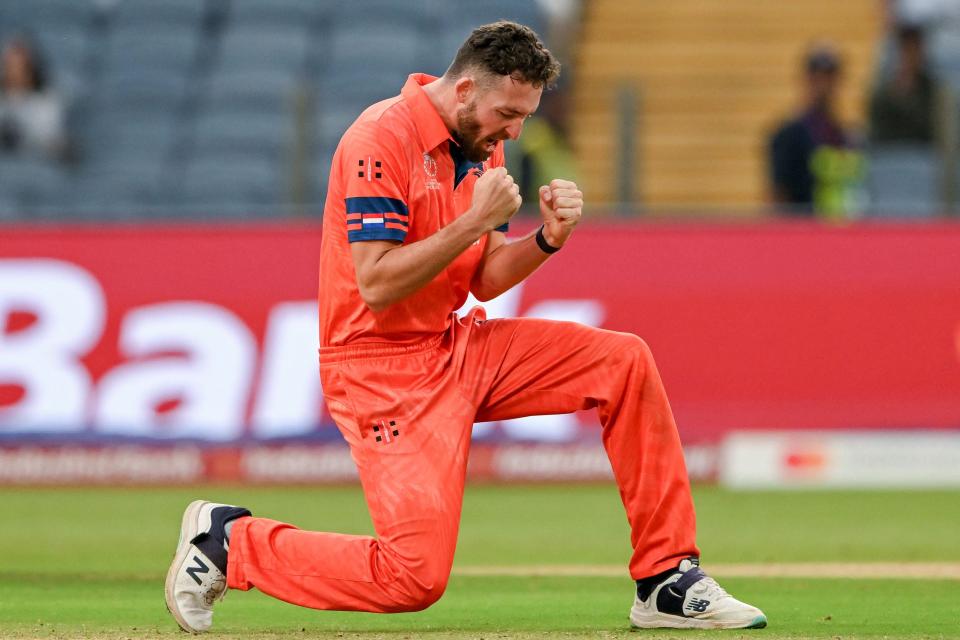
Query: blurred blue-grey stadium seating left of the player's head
193, 107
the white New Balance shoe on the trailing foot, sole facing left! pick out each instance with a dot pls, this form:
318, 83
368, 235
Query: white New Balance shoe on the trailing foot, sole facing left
198, 575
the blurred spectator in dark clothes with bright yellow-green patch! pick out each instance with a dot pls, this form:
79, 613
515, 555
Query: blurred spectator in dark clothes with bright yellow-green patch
814, 167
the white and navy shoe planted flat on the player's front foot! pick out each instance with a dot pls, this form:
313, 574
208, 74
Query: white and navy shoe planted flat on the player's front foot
690, 599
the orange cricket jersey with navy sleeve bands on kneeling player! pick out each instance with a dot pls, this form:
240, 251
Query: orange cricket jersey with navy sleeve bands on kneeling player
396, 175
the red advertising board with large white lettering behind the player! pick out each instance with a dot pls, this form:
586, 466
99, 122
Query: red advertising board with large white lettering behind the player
189, 335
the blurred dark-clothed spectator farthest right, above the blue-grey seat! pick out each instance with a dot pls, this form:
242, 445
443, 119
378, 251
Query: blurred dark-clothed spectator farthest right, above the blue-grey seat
901, 107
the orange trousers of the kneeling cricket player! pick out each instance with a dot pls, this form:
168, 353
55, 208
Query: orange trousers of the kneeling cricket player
407, 413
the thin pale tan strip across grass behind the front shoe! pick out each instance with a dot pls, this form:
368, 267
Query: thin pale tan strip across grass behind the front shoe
886, 570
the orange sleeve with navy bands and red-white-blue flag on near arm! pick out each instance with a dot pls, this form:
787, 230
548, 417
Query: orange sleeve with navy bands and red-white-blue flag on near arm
376, 177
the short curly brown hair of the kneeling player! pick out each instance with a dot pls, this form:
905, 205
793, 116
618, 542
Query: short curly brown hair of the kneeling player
507, 49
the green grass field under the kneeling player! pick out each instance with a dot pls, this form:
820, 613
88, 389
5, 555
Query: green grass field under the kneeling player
90, 563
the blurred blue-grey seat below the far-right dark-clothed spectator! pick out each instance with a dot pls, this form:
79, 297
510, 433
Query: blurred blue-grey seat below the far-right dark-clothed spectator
903, 181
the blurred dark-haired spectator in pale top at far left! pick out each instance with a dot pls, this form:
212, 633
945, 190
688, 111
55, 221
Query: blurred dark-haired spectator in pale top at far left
31, 114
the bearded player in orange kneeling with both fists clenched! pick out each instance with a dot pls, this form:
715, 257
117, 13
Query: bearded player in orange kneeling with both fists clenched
415, 218
